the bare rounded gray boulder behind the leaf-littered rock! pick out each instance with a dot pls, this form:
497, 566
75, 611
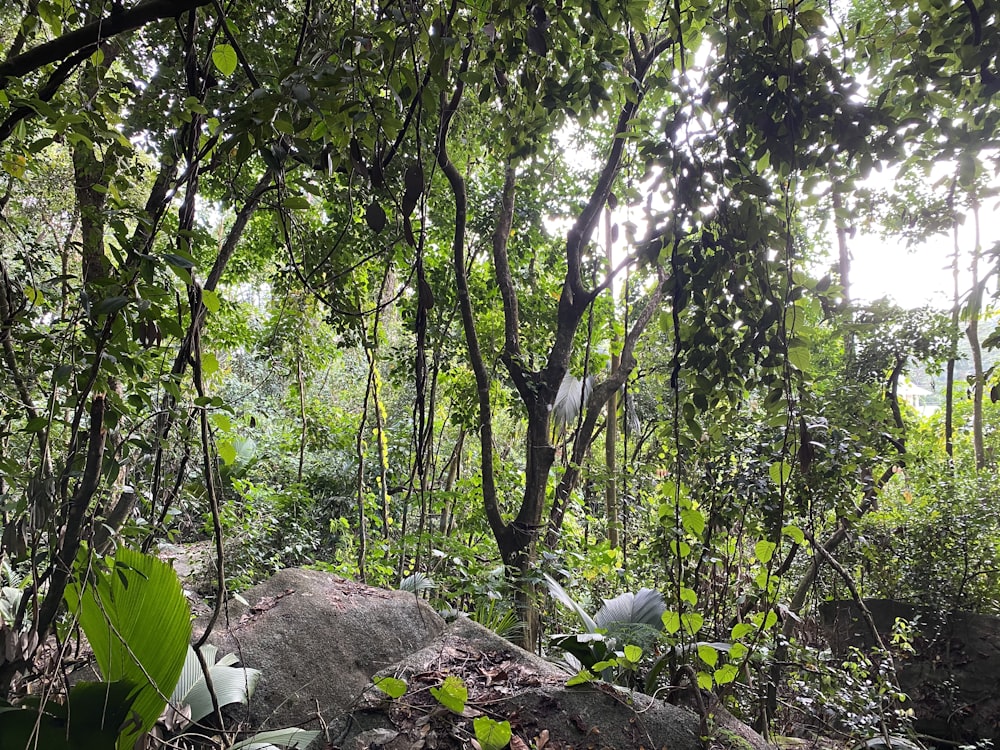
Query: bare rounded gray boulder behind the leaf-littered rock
317, 640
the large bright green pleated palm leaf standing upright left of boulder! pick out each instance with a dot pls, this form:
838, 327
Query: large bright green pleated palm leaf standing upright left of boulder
137, 620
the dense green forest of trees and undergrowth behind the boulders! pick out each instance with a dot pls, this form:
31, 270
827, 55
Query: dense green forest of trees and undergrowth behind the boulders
370, 287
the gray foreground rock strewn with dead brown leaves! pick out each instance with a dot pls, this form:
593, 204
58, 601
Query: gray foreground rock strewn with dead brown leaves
507, 683
